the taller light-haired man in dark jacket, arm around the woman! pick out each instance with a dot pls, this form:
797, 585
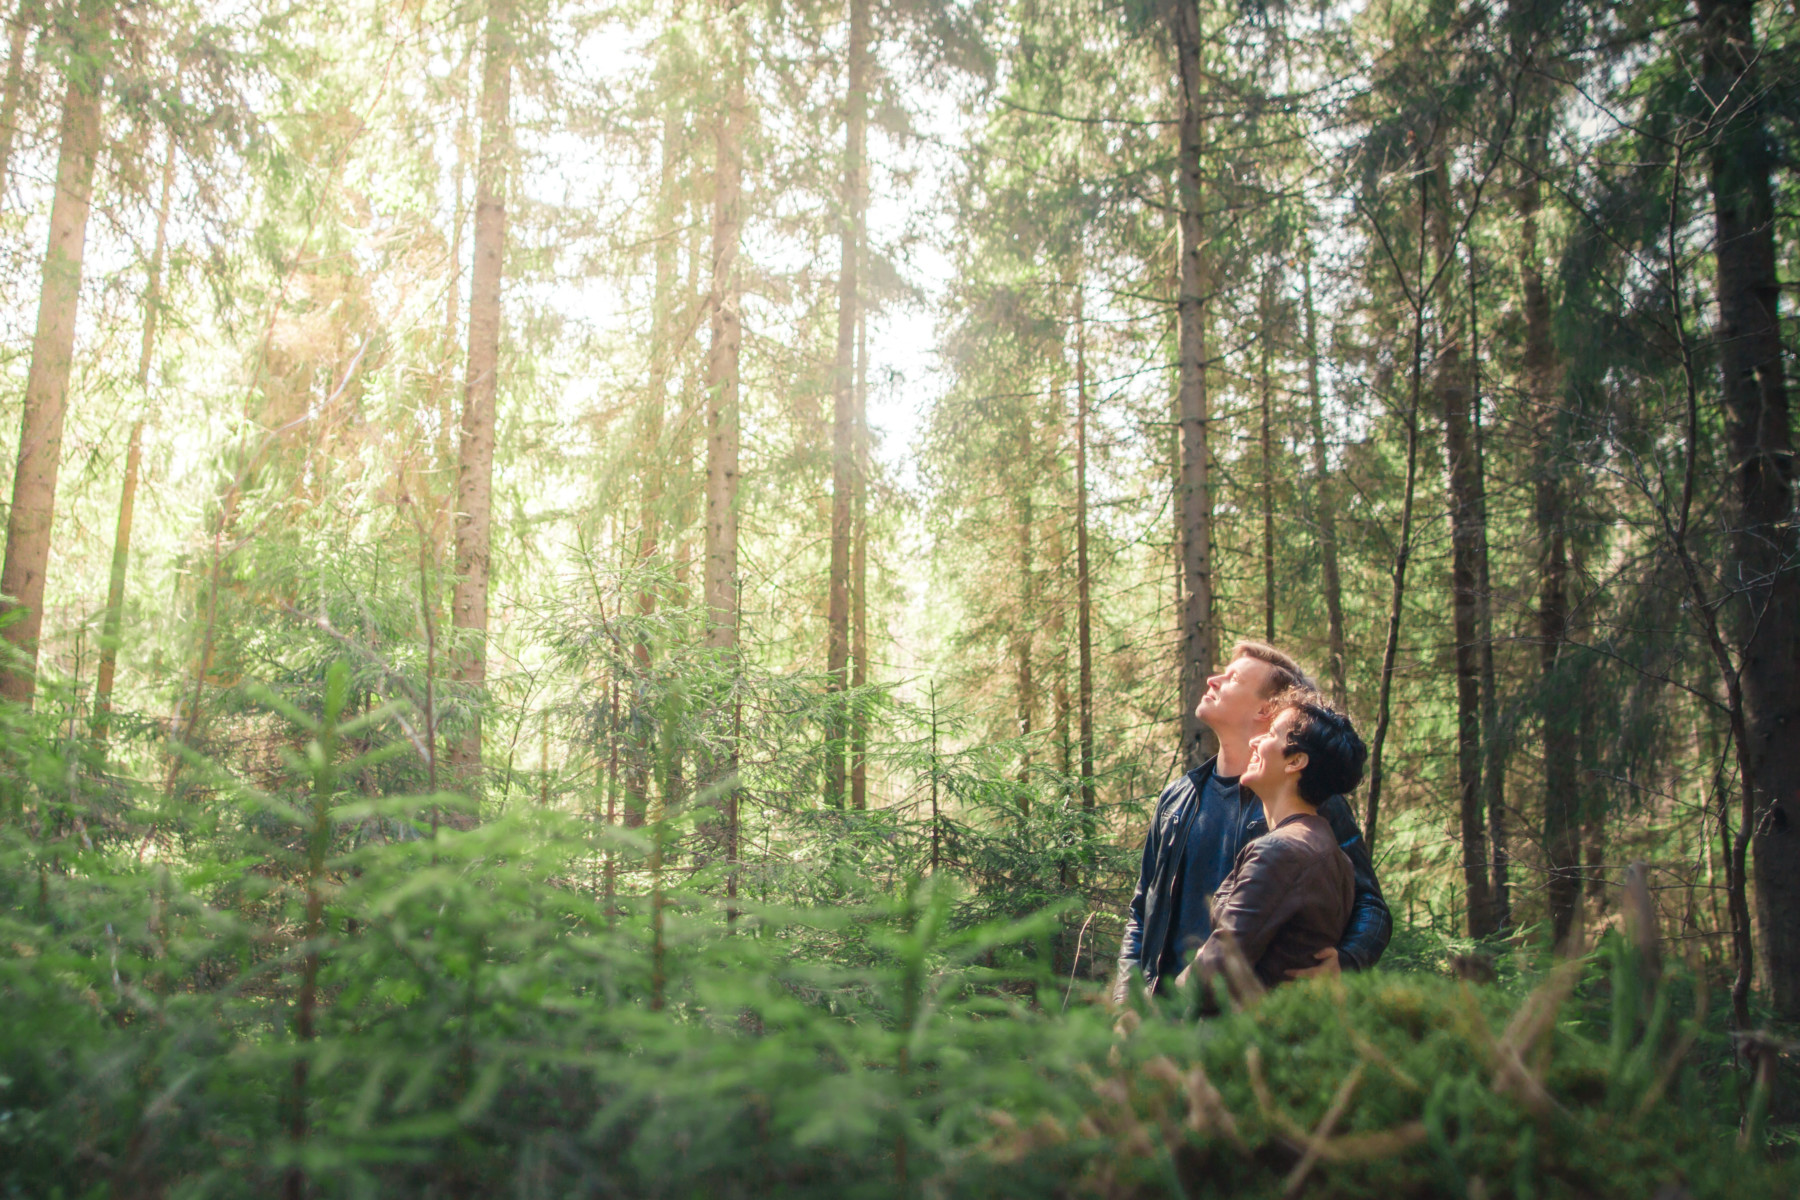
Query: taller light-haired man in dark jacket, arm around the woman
1205, 819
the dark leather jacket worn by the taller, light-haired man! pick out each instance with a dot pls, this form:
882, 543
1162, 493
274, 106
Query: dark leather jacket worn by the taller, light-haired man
1153, 906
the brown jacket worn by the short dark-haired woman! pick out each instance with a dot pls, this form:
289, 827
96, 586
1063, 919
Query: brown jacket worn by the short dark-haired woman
1288, 899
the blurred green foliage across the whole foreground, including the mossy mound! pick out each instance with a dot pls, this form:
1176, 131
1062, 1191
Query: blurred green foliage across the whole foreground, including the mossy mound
309, 990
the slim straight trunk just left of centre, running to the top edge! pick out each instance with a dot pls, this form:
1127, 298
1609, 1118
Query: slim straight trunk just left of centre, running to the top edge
843, 400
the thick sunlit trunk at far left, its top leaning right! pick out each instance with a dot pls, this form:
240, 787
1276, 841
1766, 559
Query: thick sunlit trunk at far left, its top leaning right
40, 440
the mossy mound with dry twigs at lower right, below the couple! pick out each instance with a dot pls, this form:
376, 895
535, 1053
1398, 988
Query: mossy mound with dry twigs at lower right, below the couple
1398, 1086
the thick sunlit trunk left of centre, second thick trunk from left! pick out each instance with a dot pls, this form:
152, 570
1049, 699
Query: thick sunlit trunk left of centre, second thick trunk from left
474, 519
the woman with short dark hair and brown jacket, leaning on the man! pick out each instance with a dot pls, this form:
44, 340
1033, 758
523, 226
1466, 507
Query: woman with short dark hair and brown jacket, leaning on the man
1291, 890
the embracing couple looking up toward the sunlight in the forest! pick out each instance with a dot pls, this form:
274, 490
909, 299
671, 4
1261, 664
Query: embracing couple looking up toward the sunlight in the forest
1255, 855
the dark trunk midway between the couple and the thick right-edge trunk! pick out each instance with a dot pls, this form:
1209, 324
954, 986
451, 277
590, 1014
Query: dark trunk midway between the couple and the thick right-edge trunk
1551, 514
